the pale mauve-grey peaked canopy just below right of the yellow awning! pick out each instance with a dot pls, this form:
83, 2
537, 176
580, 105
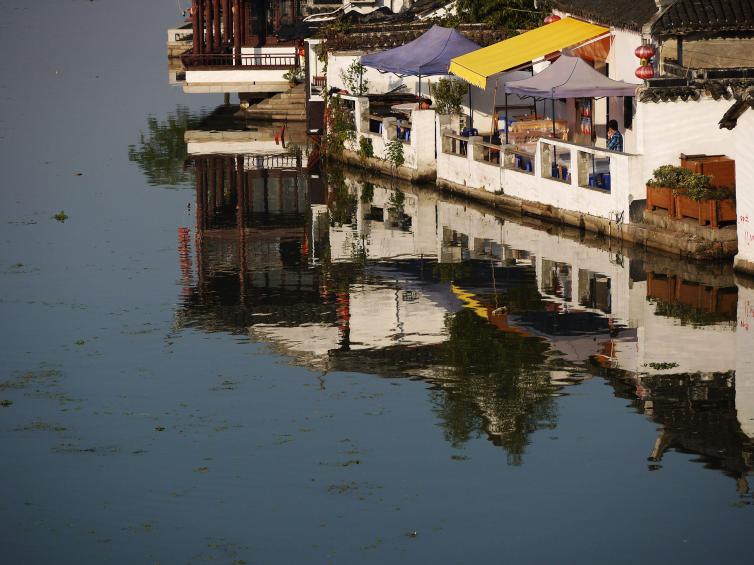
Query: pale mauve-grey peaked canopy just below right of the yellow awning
570, 77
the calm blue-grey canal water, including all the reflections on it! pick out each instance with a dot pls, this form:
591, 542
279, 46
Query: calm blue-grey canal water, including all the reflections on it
225, 354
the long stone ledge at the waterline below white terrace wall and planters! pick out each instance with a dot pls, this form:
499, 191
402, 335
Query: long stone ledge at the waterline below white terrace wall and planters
669, 241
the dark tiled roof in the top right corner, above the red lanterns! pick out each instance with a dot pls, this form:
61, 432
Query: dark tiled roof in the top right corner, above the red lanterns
693, 16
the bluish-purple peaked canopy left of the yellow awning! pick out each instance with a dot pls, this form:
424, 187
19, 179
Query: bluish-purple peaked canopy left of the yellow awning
427, 55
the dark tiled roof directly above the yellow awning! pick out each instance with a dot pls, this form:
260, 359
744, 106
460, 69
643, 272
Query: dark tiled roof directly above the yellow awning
629, 14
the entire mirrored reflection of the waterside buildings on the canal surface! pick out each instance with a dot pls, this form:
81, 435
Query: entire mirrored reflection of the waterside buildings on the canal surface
340, 271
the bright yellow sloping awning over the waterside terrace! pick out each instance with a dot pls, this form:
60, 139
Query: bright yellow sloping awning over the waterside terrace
476, 67
